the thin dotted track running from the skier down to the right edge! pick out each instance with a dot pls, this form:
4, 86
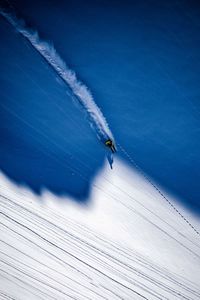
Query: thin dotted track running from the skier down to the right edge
157, 189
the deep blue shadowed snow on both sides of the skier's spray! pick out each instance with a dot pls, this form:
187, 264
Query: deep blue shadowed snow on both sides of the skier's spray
141, 60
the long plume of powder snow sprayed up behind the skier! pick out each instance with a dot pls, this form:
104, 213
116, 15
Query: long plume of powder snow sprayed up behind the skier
79, 90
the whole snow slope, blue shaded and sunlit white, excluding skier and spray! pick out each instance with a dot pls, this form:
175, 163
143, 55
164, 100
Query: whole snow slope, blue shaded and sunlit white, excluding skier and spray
70, 227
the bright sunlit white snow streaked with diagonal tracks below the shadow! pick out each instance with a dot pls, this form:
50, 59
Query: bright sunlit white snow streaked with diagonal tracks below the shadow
127, 244
